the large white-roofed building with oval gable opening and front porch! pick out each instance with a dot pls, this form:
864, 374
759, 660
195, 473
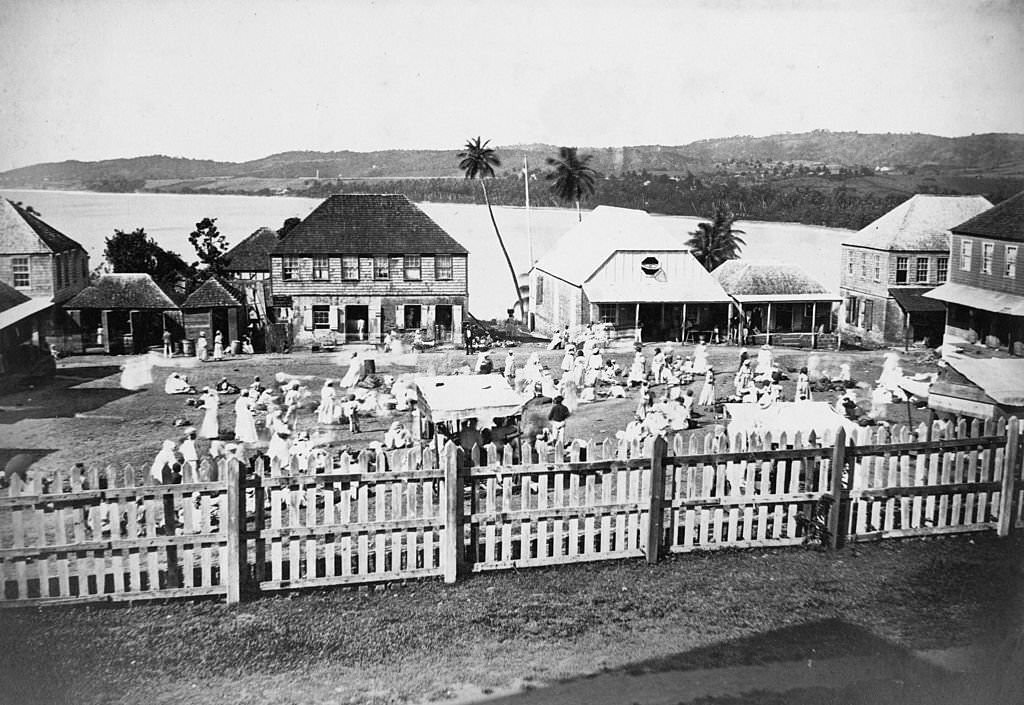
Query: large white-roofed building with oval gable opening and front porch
621, 267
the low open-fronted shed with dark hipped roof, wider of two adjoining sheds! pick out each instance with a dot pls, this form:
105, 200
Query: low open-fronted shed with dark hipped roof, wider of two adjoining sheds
124, 314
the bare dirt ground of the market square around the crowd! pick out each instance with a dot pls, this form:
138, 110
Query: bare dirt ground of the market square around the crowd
83, 416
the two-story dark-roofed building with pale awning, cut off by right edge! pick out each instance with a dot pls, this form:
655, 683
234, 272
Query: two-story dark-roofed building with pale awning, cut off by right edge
985, 297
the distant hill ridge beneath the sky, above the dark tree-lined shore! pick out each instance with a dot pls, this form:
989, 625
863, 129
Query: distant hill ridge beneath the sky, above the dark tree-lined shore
988, 153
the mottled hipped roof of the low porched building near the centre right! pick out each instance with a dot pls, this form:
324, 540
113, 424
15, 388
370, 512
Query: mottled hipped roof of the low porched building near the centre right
763, 281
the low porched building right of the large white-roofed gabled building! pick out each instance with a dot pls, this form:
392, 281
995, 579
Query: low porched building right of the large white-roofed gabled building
777, 304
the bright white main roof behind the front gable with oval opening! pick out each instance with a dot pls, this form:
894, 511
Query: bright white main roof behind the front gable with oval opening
586, 246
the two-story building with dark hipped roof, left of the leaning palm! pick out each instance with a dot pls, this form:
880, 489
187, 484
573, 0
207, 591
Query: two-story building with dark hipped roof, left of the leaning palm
363, 265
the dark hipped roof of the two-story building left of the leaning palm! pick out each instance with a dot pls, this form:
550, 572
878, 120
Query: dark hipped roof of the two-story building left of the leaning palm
368, 224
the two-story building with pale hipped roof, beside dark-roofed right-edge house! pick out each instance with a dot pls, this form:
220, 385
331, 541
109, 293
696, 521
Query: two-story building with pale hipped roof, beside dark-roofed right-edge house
888, 265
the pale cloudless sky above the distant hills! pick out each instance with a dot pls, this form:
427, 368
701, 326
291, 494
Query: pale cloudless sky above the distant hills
239, 80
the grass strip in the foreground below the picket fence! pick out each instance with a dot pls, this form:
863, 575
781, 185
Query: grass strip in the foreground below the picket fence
428, 641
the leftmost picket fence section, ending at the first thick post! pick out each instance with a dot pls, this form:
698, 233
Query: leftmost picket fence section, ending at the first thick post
106, 535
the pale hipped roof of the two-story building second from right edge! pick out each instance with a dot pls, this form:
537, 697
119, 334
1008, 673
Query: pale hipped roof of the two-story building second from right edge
923, 223
